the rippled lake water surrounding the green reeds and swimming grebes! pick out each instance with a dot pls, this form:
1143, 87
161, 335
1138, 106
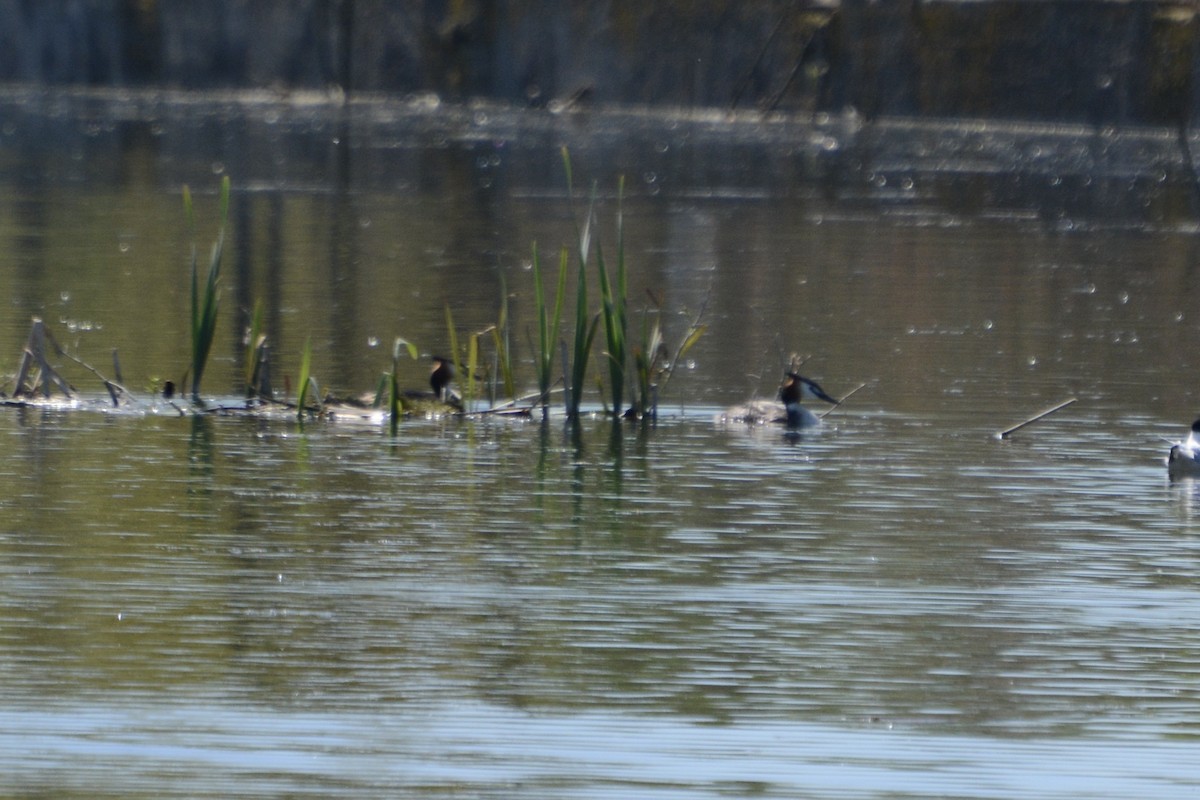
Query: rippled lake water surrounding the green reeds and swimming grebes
899, 605
